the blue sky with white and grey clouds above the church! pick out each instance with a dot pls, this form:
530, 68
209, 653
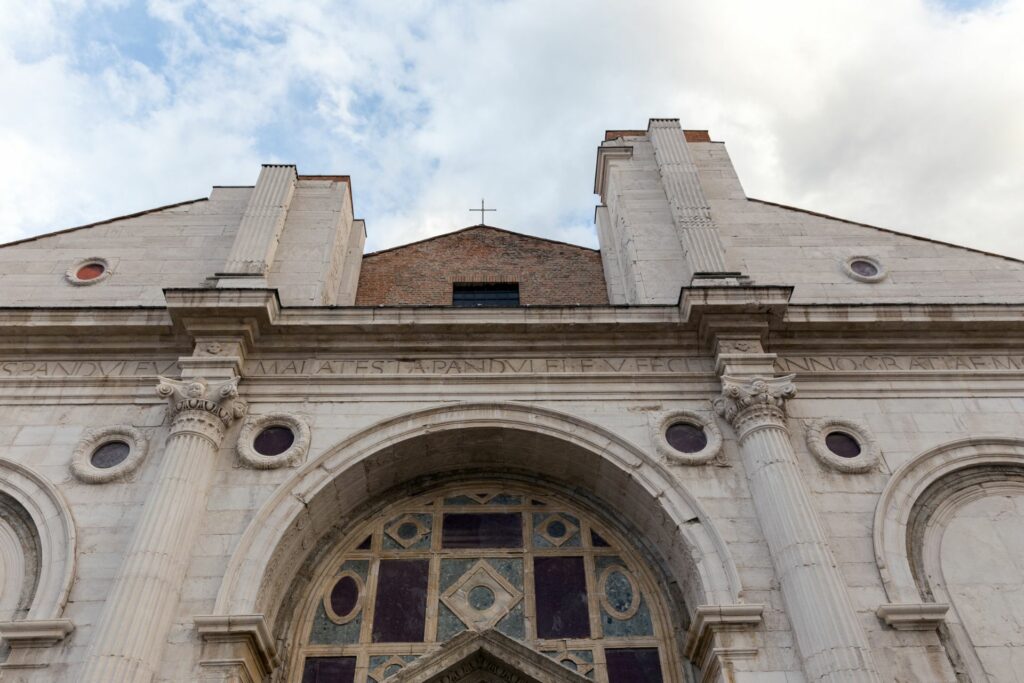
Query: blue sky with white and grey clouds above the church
906, 114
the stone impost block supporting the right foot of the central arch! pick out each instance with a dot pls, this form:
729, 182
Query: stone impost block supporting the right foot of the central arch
711, 645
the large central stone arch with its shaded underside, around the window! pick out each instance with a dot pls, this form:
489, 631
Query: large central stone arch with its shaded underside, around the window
330, 491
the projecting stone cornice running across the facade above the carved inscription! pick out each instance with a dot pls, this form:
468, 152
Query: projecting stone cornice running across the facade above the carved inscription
211, 312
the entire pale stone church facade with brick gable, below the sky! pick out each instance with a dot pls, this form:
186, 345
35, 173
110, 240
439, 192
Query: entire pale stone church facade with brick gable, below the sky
742, 443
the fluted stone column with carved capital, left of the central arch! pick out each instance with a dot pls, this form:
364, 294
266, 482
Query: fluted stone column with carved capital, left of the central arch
140, 611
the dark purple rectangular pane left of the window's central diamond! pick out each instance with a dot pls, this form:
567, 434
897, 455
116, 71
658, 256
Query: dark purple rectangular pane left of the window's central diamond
401, 609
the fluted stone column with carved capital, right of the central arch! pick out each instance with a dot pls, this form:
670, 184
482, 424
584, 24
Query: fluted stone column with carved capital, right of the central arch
832, 644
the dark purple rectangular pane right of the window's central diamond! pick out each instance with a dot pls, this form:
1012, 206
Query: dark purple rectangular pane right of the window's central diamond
561, 585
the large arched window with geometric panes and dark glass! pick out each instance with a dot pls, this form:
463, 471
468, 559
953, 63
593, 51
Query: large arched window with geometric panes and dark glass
526, 563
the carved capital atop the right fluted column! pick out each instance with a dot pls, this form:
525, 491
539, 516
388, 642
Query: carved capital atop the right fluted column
748, 404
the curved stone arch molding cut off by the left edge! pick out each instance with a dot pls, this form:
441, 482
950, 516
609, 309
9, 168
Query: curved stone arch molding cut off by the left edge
58, 538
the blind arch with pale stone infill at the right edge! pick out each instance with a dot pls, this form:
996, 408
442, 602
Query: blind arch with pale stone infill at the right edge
940, 530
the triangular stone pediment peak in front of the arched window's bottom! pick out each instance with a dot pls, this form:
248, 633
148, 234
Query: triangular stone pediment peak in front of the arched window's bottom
486, 658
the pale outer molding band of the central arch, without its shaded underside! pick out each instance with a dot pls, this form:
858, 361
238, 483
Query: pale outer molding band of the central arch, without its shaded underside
262, 562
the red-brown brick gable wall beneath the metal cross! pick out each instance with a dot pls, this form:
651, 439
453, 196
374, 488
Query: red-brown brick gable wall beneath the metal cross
422, 274
